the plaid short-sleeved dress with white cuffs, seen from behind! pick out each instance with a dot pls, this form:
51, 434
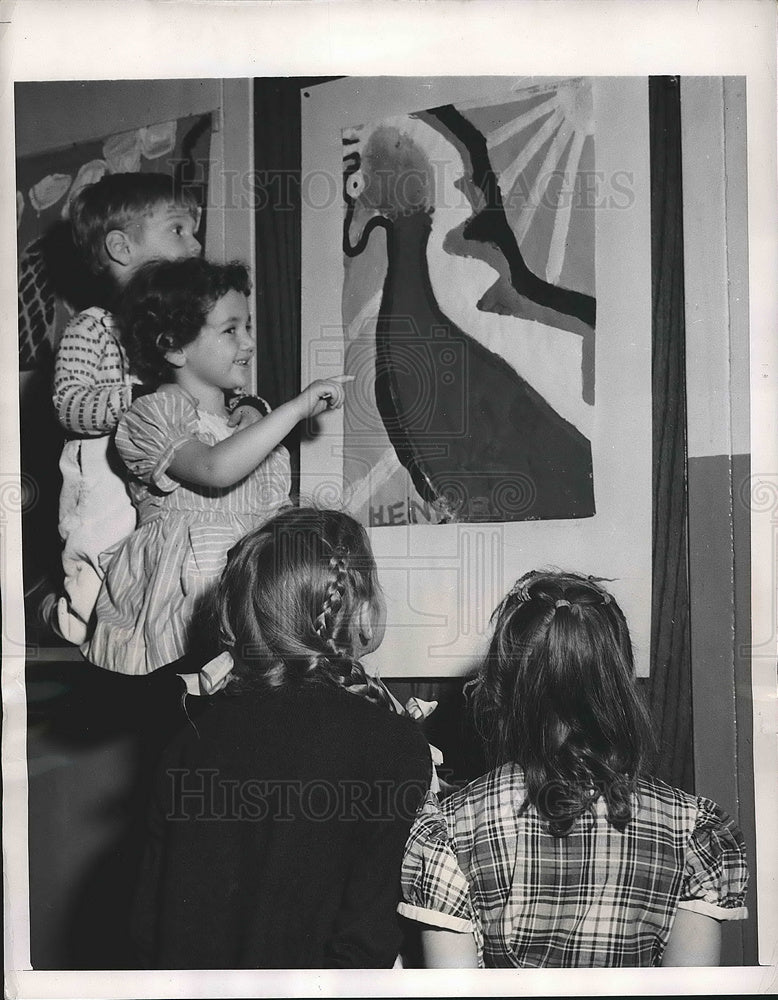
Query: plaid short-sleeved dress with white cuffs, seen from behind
595, 898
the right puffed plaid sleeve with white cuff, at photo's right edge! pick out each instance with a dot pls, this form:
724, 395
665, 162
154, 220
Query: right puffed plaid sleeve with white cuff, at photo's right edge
715, 874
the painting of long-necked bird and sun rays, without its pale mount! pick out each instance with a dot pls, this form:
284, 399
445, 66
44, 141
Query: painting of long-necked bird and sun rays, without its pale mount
468, 308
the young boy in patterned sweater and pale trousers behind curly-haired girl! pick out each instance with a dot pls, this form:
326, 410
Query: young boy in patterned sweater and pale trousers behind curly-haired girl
120, 223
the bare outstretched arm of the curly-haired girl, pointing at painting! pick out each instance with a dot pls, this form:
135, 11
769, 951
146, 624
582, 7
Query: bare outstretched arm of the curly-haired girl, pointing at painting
229, 461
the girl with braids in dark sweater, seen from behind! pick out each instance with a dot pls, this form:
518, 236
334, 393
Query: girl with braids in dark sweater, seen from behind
277, 828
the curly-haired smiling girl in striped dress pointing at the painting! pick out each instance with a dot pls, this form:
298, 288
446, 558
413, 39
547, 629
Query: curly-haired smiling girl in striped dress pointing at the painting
198, 483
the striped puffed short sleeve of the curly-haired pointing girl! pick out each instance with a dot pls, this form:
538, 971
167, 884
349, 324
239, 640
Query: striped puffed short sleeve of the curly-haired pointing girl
151, 431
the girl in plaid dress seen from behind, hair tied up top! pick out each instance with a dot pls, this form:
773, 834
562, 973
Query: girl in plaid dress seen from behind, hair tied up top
566, 854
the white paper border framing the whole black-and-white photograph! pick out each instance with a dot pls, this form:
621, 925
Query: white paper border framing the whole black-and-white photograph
45, 39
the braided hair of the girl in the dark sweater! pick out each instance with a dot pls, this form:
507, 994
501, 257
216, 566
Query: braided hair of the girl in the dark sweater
290, 599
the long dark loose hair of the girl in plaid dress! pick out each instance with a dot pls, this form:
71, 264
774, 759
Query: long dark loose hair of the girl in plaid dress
556, 694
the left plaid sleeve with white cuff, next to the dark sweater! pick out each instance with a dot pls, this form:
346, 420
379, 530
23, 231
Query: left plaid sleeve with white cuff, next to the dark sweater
434, 888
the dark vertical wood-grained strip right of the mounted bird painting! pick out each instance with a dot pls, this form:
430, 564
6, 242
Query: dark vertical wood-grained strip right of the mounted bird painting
669, 686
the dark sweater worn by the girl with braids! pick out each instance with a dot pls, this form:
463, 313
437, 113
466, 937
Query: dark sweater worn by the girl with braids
276, 834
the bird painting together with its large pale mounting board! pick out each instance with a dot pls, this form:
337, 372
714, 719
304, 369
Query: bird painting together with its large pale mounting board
476, 253
